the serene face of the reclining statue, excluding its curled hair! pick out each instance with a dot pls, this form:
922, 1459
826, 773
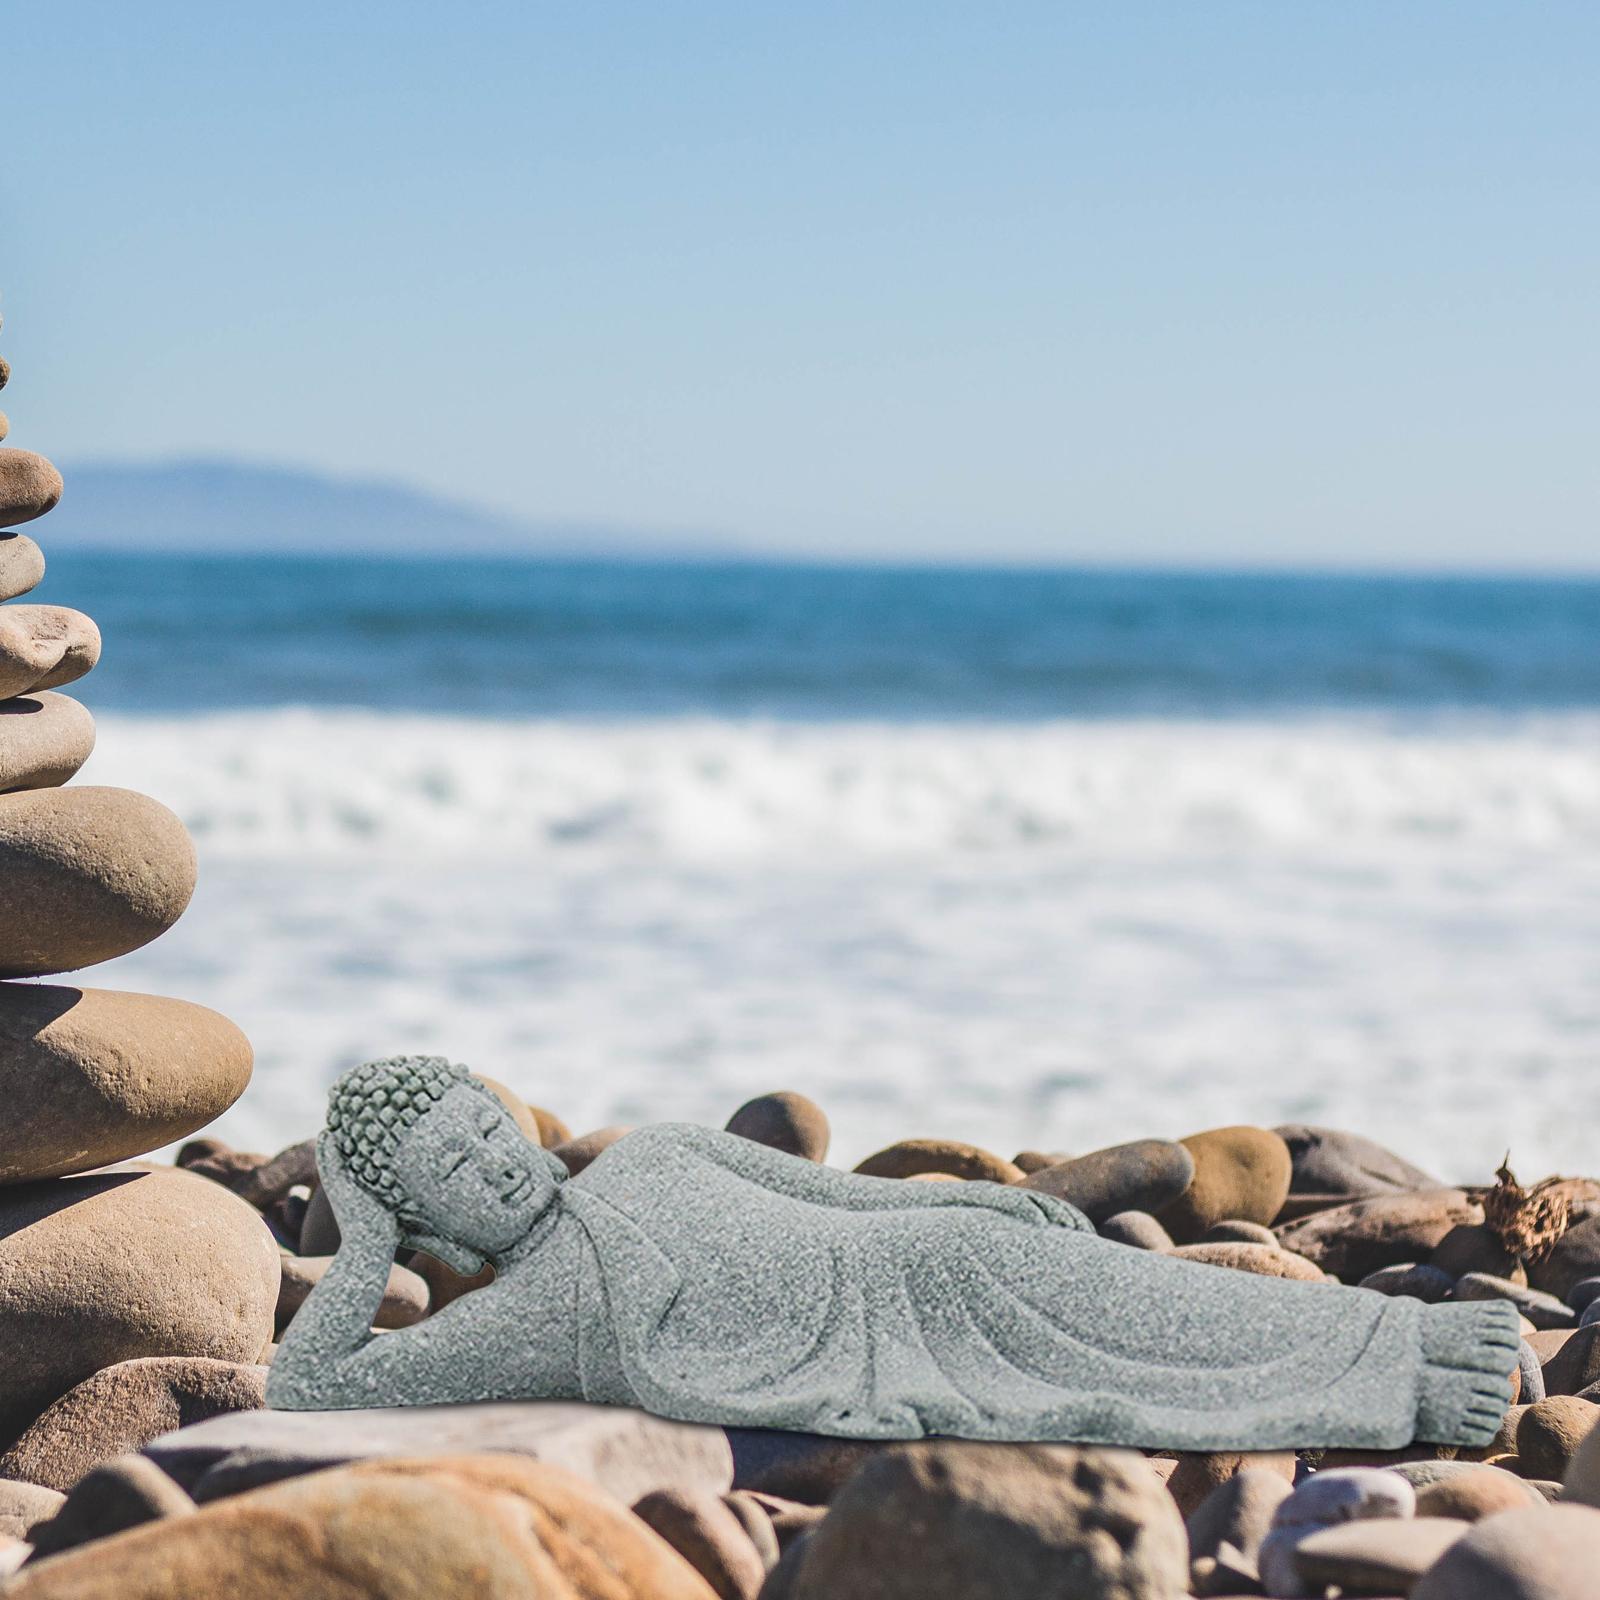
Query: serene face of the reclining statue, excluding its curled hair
470, 1177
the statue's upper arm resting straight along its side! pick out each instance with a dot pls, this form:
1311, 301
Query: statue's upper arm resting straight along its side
817, 1185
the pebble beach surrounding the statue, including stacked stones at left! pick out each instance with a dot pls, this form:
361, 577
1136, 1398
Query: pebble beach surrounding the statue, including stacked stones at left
150, 1268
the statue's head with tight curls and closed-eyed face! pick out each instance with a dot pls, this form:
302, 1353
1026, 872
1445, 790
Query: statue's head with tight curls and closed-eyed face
439, 1151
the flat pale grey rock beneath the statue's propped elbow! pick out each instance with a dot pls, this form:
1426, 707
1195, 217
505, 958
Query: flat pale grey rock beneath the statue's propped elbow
626, 1452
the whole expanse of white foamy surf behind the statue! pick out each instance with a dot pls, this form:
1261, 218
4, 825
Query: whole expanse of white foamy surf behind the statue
1038, 935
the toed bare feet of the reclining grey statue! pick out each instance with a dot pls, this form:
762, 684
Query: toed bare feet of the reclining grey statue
1468, 1353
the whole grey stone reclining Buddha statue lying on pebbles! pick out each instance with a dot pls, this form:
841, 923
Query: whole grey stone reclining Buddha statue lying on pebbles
705, 1278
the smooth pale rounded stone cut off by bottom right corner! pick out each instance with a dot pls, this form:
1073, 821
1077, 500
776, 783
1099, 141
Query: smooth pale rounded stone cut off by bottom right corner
1548, 1554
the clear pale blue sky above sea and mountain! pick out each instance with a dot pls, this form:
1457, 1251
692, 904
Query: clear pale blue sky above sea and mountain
1279, 281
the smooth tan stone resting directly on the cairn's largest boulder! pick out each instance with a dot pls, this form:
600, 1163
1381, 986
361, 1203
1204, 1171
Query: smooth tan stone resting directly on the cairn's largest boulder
95, 1076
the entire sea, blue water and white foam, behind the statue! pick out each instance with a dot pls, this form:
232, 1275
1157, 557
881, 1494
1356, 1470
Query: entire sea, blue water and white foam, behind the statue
1028, 858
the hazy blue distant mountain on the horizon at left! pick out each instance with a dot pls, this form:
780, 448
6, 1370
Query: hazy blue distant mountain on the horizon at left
241, 508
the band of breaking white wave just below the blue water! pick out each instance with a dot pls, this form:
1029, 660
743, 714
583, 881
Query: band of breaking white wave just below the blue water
298, 783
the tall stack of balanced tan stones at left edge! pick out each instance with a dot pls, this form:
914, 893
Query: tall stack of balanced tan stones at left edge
132, 1297
